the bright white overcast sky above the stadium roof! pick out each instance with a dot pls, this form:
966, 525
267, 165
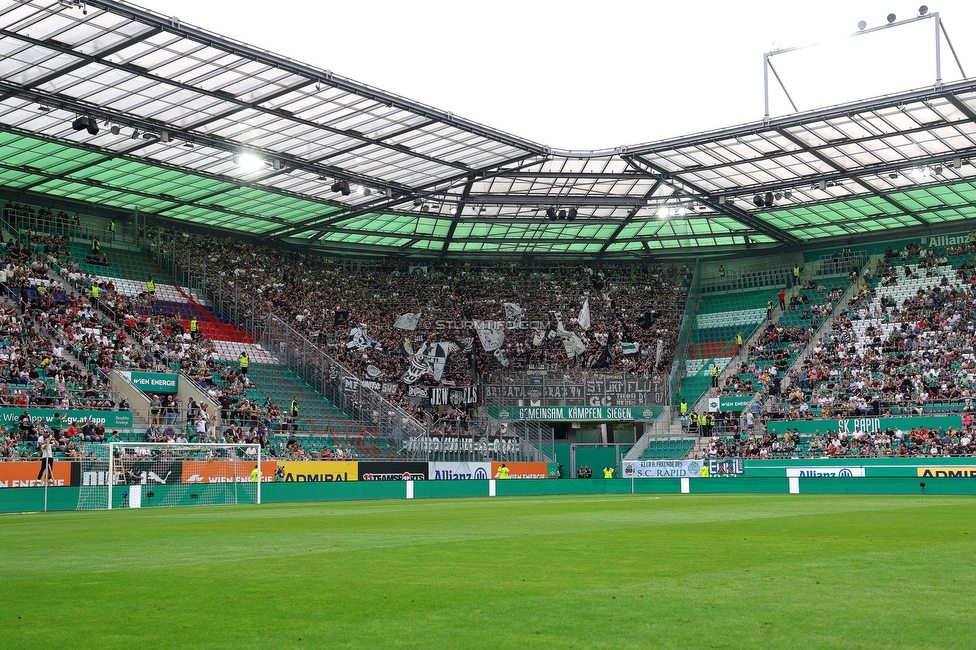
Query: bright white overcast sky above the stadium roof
597, 75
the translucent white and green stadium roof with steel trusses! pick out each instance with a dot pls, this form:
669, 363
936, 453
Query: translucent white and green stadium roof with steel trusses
200, 129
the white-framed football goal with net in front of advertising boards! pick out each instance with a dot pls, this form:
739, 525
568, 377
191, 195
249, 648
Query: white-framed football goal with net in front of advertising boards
152, 475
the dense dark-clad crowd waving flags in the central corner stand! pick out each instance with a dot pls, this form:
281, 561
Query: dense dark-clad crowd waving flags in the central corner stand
327, 298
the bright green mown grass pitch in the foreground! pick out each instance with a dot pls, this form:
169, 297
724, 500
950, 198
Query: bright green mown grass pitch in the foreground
567, 572
